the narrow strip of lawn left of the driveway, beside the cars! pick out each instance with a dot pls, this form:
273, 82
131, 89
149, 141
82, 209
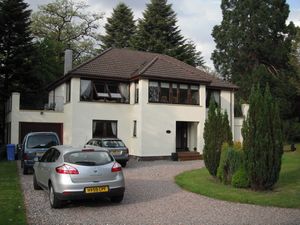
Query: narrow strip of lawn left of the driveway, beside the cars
12, 210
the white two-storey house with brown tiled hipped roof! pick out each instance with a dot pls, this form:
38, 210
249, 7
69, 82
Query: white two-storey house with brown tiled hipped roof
156, 104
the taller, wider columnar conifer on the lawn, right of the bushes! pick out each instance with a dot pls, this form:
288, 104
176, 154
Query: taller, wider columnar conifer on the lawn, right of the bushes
263, 143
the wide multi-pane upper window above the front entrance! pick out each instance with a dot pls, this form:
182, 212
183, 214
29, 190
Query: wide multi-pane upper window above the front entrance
173, 93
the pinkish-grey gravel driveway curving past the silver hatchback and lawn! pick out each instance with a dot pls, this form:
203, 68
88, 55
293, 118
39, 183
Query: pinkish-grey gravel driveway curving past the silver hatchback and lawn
152, 197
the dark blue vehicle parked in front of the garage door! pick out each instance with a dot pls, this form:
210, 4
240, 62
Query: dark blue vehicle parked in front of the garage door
35, 144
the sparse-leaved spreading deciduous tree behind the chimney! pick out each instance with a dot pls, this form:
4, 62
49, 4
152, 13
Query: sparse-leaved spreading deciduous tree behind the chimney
70, 24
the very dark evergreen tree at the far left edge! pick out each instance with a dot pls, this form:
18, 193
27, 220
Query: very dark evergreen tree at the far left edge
15, 48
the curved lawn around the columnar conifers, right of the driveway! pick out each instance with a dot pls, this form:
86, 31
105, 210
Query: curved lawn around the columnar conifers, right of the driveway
286, 192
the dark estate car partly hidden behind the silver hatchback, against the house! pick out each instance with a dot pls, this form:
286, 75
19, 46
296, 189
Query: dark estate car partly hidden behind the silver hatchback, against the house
115, 146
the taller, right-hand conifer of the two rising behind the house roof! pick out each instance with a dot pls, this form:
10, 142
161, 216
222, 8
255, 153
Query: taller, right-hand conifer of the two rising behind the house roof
158, 32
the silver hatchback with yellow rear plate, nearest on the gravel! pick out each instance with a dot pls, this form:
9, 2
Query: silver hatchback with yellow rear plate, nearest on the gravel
69, 173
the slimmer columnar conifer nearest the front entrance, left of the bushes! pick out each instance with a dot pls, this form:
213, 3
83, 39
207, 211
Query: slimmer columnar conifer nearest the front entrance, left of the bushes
215, 128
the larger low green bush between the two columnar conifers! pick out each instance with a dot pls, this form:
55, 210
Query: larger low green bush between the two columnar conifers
231, 160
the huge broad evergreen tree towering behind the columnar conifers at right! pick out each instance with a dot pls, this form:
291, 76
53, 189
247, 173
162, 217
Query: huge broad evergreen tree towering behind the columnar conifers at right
254, 35
